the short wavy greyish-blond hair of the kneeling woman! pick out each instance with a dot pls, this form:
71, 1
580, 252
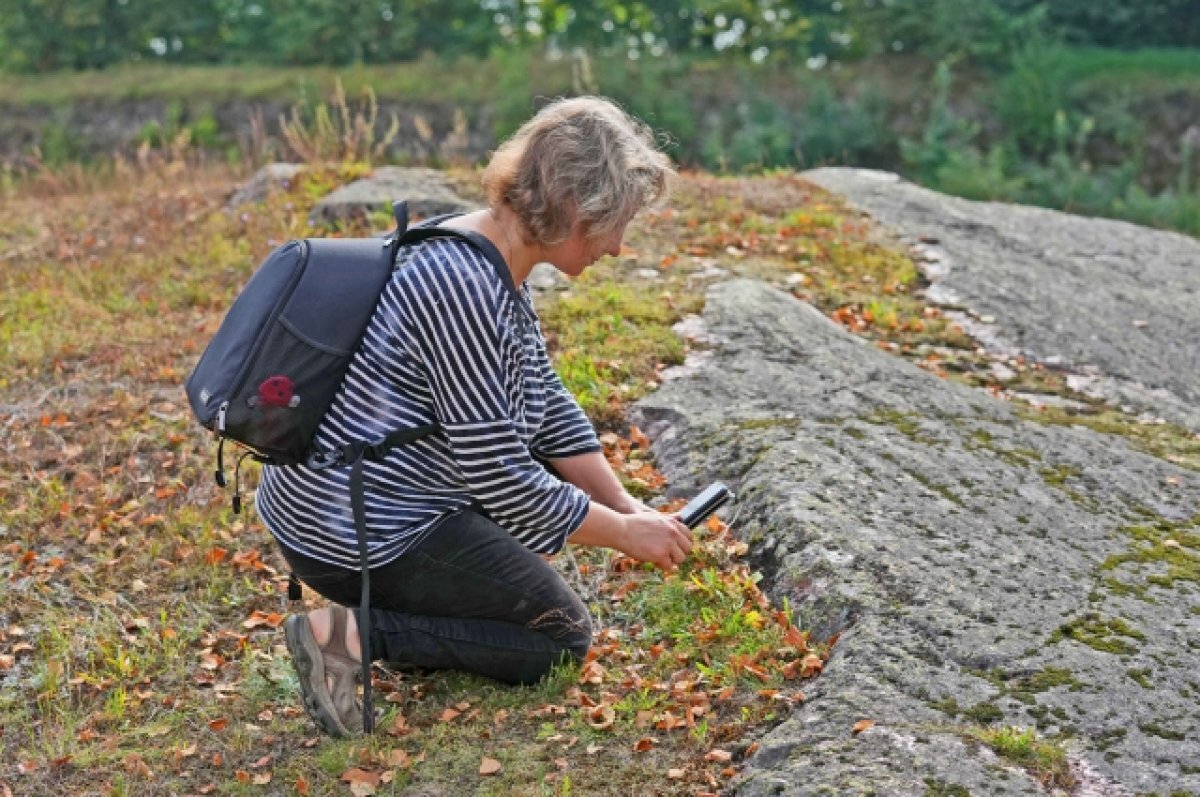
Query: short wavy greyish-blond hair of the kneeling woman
578, 161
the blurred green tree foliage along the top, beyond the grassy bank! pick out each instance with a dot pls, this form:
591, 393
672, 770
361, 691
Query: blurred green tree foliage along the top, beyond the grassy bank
44, 35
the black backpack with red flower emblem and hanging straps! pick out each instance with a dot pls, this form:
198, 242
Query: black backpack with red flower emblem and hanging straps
275, 364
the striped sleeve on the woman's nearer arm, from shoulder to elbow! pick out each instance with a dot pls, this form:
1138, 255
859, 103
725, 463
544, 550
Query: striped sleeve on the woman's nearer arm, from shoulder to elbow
453, 310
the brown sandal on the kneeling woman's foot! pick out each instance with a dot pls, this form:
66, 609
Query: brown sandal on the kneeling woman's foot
332, 703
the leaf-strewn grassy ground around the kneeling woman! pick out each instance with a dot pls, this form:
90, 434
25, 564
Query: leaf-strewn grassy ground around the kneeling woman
140, 648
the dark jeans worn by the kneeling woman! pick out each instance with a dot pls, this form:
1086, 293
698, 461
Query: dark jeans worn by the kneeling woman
469, 597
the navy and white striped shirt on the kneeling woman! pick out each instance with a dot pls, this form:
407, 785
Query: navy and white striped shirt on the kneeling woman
451, 343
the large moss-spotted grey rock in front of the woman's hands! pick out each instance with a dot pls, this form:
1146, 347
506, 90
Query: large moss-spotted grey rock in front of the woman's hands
959, 550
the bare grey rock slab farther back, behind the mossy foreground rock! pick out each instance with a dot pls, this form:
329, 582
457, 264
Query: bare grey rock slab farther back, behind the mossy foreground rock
1115, 302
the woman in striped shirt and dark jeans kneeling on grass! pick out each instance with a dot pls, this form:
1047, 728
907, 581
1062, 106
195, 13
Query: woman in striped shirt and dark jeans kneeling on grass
457, 522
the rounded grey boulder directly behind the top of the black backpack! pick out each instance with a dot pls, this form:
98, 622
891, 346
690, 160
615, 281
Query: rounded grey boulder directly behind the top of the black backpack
428, 191
